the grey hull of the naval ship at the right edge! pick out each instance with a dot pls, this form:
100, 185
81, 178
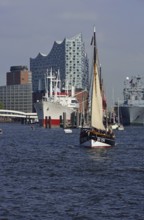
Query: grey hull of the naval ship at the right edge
132, 115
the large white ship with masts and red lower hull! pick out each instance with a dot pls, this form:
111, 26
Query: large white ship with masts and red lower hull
55, 103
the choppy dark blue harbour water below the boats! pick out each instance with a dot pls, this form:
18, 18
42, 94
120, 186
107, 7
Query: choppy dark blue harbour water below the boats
44, 174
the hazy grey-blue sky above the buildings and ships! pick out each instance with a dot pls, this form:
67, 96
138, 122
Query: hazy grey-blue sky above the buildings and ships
28, 27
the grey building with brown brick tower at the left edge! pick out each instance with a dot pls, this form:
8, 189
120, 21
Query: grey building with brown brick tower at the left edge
17, 94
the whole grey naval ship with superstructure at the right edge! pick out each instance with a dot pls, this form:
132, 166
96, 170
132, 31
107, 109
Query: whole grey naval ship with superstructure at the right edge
132, 108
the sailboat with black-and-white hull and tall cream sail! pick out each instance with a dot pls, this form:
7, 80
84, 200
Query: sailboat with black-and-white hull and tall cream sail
95, 134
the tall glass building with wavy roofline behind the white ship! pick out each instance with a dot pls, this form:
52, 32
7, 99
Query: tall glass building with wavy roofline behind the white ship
68, 57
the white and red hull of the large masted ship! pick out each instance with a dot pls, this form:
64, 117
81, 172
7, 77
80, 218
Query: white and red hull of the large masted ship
51, 113
